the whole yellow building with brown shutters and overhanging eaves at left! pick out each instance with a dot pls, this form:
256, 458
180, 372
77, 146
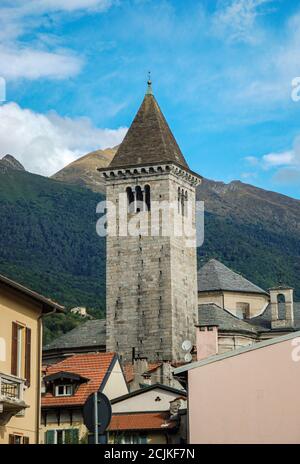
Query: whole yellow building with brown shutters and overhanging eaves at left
21, 319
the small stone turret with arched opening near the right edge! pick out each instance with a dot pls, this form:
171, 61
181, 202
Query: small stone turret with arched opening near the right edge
282, 307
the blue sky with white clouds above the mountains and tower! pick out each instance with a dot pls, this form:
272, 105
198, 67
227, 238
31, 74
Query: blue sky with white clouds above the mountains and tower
222, 73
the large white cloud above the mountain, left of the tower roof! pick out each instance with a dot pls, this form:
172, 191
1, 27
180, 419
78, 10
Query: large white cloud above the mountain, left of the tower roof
46, 143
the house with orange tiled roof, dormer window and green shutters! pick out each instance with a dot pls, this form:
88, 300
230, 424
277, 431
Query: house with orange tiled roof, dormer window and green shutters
67, 386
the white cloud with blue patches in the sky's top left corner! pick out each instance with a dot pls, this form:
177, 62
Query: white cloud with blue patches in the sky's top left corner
31, 61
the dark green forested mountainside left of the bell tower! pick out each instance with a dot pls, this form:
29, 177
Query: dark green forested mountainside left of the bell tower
48, 242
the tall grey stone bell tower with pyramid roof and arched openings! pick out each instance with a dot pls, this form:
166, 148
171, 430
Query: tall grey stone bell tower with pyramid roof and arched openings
151, 271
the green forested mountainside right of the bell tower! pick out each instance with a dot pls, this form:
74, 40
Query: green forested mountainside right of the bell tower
264, 256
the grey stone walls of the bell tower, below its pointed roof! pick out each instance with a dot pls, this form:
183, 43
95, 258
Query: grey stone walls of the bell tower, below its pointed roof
151, 280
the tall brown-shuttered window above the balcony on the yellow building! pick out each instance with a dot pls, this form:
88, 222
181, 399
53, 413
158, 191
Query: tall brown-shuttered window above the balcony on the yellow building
21, 352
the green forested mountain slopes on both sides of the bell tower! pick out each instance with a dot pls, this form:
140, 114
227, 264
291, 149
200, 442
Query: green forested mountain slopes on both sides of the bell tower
48, 242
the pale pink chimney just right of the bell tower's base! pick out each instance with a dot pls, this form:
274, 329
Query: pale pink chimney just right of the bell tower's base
206, 341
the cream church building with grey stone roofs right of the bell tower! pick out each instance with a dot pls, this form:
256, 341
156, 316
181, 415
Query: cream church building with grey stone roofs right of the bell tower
233, 312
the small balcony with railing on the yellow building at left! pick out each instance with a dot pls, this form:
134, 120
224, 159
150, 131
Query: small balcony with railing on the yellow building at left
11, 397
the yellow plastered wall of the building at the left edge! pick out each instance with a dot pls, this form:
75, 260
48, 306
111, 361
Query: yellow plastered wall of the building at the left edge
17, 309
